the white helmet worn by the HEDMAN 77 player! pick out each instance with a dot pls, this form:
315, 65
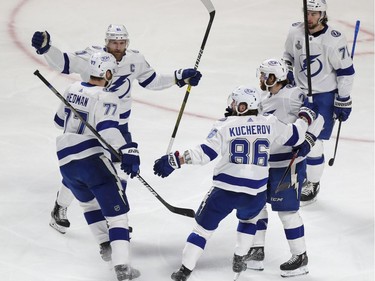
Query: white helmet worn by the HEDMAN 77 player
101, 62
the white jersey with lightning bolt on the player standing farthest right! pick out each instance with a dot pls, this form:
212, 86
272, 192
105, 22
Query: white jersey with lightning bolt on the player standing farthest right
331, 65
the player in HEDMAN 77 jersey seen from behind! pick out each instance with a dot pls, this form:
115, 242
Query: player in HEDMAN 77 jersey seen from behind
86, 165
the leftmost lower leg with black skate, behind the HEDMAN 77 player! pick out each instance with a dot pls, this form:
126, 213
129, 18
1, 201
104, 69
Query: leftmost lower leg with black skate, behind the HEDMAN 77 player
59, 219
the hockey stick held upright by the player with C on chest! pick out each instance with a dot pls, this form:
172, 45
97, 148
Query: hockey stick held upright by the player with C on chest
211, 10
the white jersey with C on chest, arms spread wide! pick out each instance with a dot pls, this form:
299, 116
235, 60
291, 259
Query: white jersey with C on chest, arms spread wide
133, 66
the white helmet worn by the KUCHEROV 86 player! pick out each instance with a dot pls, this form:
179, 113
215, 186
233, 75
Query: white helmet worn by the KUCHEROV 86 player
248, 95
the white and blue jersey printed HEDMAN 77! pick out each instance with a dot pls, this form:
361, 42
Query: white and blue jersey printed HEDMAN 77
100, 109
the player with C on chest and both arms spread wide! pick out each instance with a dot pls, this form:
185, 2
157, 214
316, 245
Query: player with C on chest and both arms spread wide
132, 65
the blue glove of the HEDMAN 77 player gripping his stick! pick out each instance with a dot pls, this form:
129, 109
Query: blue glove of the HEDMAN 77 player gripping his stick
130, 159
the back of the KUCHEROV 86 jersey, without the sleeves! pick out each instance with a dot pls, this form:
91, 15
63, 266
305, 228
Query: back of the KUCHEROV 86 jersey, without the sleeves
245, 150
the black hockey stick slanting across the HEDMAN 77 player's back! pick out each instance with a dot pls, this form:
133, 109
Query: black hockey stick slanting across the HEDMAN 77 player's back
176, 210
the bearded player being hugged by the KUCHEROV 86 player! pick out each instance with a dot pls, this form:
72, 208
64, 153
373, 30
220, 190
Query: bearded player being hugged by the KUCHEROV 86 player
284, 101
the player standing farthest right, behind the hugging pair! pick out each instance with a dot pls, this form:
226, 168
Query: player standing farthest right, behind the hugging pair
332, 75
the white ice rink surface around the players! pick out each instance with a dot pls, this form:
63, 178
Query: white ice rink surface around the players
339, 227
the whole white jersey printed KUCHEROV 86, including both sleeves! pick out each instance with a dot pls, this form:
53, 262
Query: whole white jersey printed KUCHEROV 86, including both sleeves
245, 142
